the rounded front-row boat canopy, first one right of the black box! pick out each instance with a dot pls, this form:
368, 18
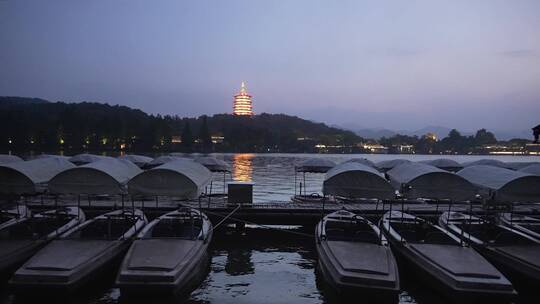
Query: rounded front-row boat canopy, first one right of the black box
356, 180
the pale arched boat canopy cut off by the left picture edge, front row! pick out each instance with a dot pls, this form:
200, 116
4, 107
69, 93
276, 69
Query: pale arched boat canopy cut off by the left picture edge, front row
30, 177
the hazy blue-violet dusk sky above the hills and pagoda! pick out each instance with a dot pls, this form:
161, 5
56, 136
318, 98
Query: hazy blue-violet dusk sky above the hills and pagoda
394, 64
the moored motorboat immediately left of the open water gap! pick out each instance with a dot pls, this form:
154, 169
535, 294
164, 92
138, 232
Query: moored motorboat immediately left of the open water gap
165, 266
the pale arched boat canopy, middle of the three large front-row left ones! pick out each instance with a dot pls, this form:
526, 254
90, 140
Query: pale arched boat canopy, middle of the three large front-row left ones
106, 176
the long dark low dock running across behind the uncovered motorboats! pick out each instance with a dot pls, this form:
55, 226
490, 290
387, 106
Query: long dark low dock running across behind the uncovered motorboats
274, 213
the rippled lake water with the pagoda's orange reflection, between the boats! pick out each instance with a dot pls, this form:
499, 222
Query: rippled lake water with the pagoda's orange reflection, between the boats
268, 266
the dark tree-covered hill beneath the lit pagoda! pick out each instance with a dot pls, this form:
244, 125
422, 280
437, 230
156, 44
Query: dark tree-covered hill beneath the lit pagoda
39, 125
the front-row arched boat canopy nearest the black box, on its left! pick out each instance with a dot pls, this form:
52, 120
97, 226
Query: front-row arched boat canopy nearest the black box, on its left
179, 178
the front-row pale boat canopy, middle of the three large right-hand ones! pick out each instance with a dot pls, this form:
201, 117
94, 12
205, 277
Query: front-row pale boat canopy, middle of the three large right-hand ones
418, 180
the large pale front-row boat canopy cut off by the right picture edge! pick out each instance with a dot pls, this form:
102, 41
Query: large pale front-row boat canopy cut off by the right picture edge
505, 185
